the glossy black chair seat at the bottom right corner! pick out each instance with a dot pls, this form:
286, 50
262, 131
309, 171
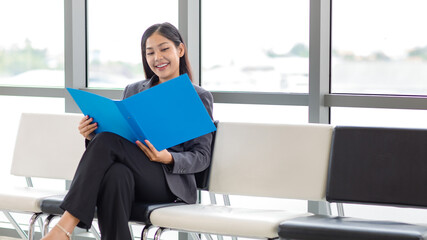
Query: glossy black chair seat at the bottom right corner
345, 228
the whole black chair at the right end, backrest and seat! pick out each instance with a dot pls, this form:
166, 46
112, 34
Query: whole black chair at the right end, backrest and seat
375, 166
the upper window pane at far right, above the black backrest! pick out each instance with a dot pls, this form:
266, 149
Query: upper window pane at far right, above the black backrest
379, 46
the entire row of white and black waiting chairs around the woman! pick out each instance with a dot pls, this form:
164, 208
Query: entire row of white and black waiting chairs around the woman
315, 162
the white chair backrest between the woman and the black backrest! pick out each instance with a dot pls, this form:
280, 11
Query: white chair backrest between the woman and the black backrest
271, 160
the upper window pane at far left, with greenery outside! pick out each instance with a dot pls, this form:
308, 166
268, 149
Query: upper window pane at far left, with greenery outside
32, 43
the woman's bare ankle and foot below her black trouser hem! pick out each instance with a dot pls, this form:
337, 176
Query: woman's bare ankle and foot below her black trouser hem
66, 224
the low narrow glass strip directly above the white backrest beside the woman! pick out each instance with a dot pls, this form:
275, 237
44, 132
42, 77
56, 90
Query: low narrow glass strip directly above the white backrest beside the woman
260, 113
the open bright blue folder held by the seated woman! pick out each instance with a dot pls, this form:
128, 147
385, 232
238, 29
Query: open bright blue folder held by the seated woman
167, 114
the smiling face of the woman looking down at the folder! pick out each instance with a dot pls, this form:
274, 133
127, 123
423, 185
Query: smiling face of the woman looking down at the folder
163, 56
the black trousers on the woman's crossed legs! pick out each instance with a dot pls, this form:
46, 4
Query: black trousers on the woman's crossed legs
112, 174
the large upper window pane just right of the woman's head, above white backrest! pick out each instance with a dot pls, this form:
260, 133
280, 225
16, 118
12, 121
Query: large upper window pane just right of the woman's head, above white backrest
262, 48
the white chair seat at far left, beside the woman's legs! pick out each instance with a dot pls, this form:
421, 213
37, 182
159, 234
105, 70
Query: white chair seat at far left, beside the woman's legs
24, 199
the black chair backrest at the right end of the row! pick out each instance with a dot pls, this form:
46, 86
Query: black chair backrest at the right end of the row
378, 166
